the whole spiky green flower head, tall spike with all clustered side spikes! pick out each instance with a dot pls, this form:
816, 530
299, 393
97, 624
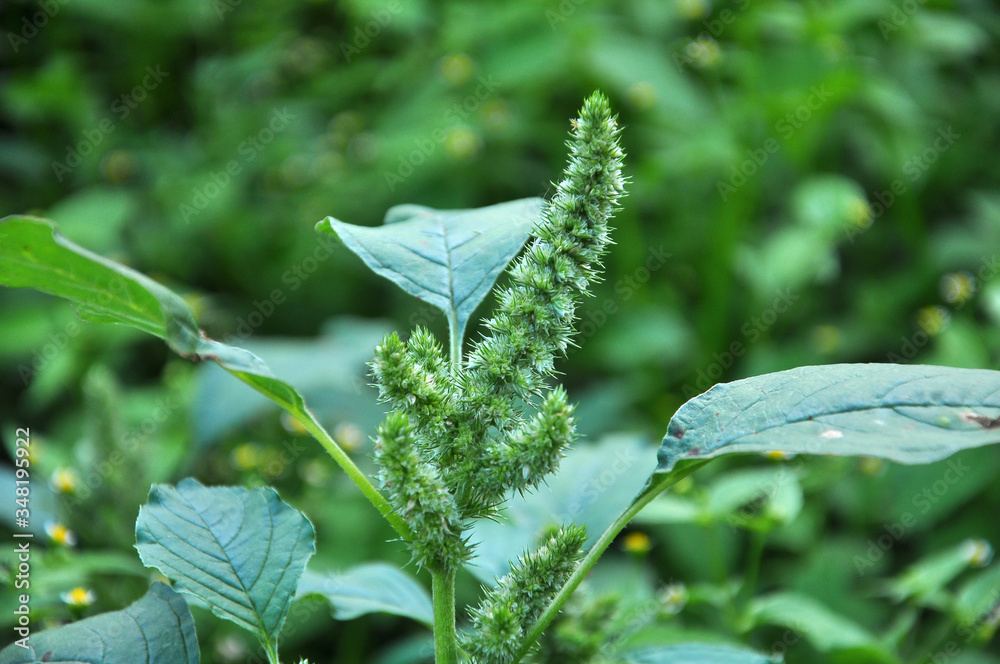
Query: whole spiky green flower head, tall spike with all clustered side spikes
462, 436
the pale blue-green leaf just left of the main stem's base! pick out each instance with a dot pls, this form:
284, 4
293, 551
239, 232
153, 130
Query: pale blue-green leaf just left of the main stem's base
370, 588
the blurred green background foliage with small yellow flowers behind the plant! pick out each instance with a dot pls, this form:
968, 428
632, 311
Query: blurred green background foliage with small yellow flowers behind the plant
812, 182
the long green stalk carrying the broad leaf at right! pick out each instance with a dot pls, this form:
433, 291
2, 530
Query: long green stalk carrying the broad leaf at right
657, 485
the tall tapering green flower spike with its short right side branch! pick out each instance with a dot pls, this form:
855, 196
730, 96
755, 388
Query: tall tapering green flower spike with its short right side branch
534, 323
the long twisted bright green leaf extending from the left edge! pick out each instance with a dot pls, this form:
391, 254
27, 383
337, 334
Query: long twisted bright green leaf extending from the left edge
34, 255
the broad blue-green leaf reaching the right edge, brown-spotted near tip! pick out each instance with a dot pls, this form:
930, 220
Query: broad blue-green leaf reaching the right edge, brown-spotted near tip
909, 414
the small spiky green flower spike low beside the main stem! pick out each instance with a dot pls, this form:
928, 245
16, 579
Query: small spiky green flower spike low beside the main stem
508, 611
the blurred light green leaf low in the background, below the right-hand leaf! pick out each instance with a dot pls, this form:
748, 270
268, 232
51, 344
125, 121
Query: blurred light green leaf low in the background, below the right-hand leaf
826, 630
